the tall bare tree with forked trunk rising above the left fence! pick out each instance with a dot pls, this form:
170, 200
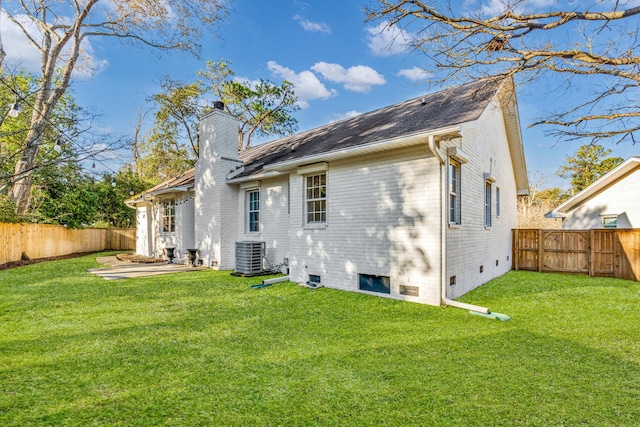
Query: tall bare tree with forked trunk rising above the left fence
63, 26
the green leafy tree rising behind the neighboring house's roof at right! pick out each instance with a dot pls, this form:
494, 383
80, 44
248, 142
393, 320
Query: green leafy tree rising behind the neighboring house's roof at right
588, 164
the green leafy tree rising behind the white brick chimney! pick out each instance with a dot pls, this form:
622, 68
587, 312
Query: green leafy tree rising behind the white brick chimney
263, 108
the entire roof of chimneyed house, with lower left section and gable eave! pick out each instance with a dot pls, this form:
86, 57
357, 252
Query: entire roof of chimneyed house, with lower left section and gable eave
427, 113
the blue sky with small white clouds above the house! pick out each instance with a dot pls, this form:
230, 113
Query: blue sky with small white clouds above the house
339, 64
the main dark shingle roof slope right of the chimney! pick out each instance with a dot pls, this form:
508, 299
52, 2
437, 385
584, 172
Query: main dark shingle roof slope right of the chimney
448, 107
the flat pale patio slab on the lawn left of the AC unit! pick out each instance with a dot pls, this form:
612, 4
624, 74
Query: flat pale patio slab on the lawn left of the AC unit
125, 270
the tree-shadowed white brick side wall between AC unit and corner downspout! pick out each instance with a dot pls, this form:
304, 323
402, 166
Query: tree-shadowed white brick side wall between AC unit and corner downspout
383, 218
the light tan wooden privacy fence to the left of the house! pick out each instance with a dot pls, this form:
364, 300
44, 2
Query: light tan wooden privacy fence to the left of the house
43, 240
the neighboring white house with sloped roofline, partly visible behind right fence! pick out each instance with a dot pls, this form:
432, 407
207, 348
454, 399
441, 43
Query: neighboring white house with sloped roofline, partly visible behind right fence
613, 201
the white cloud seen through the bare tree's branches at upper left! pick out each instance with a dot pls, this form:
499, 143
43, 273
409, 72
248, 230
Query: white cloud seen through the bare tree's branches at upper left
22, 54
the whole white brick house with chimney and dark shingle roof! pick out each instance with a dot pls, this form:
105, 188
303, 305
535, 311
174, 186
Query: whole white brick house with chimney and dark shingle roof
415, 201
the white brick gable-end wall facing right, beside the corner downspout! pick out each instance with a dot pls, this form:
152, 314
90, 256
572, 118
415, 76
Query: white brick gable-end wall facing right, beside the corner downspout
471, 245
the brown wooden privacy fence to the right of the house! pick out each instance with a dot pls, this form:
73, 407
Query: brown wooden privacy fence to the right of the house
598, 252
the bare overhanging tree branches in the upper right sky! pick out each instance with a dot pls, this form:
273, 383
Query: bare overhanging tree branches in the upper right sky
595, 50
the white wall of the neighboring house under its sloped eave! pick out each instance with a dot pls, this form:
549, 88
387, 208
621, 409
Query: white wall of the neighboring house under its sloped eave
621, 199
